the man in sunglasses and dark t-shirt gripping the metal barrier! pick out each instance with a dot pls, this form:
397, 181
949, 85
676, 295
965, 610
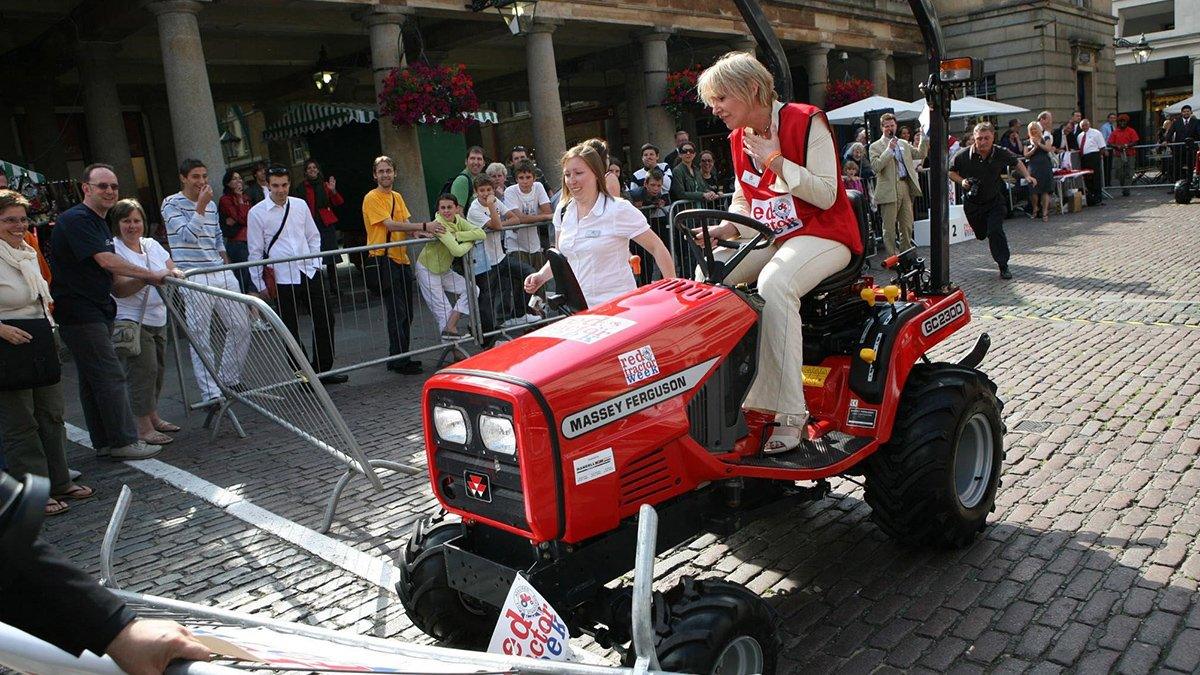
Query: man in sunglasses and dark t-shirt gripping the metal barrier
83, 265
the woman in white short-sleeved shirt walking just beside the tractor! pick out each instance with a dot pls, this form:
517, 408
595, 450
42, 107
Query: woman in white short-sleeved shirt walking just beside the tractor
595, 231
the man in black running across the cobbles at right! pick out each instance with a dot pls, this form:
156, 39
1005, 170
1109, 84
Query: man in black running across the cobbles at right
979, 170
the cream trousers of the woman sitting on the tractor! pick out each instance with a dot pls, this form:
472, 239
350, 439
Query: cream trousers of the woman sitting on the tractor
784, 274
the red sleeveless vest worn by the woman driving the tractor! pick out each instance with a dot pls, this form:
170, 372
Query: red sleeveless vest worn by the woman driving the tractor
784, 213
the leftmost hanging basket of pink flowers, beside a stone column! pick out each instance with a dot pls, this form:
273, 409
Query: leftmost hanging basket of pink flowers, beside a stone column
425, 94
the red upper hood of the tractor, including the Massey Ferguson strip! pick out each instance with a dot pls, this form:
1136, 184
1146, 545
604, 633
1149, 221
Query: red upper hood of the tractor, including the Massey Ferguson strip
652, 344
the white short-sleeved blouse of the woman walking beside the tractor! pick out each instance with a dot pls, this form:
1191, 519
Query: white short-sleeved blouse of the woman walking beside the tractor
598, 246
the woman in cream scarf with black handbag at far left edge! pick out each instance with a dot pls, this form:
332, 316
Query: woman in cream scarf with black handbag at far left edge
31, 389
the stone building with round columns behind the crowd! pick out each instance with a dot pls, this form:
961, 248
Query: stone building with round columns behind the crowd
145, 83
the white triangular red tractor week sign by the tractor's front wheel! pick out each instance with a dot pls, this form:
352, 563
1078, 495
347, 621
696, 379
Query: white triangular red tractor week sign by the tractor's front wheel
530, 628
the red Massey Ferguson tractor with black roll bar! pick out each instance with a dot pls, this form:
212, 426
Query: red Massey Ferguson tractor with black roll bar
545, 447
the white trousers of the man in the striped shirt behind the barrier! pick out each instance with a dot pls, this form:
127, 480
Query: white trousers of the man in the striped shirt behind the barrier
235, 318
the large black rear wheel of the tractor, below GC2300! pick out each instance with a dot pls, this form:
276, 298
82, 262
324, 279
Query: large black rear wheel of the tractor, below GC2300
935, 482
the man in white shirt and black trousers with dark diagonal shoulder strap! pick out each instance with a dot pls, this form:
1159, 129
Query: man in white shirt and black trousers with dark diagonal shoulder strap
280, 228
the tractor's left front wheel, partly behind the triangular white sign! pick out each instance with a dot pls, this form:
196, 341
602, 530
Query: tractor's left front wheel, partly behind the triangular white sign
441, 612
